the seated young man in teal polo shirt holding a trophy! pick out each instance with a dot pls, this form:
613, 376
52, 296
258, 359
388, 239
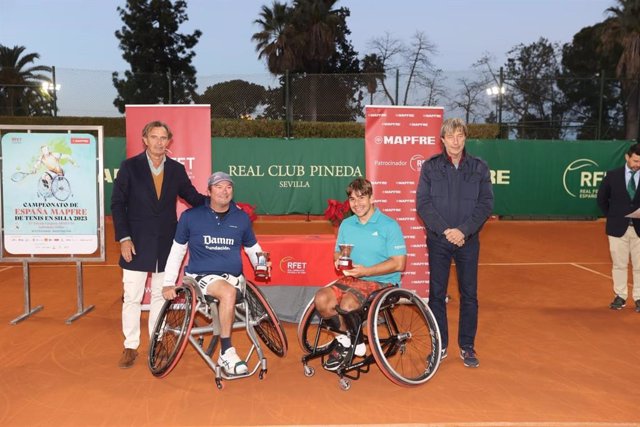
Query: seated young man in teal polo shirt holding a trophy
379, 255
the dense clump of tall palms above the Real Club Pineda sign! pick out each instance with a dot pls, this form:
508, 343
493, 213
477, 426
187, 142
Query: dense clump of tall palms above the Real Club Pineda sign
309, 39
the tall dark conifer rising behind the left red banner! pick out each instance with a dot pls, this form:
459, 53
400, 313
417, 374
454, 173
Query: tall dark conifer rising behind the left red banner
160, 57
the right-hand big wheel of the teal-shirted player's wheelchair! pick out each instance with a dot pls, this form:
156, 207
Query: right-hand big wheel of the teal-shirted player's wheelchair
404, 337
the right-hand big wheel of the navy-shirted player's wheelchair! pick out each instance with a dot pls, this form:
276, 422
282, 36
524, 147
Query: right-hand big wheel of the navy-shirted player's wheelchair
267, 325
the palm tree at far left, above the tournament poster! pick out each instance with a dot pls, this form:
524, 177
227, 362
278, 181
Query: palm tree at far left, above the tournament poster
20, 85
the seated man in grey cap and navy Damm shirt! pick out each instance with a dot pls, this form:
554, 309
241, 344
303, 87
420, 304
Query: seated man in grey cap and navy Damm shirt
215, 235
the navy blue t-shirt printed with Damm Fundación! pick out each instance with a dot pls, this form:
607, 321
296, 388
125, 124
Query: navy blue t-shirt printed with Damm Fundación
215, 243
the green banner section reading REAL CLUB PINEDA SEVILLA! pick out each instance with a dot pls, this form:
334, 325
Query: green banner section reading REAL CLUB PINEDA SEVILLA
289, 176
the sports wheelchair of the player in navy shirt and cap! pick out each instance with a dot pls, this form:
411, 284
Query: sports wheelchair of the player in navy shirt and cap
192, 316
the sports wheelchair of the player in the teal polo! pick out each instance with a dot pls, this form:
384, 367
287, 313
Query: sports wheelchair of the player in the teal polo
399, 329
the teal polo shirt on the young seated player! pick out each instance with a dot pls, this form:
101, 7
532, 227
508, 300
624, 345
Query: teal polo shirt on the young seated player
374, 242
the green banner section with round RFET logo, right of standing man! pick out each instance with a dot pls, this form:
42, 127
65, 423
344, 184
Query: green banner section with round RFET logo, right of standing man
563, 183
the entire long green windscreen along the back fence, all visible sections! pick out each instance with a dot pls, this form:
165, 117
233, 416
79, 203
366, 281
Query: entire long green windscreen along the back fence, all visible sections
532, 178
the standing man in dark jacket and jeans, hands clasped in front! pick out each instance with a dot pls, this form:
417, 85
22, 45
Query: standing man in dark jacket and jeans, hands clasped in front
454, 199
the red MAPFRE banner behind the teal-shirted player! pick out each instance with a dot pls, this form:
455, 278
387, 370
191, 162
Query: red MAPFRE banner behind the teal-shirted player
397, 140
